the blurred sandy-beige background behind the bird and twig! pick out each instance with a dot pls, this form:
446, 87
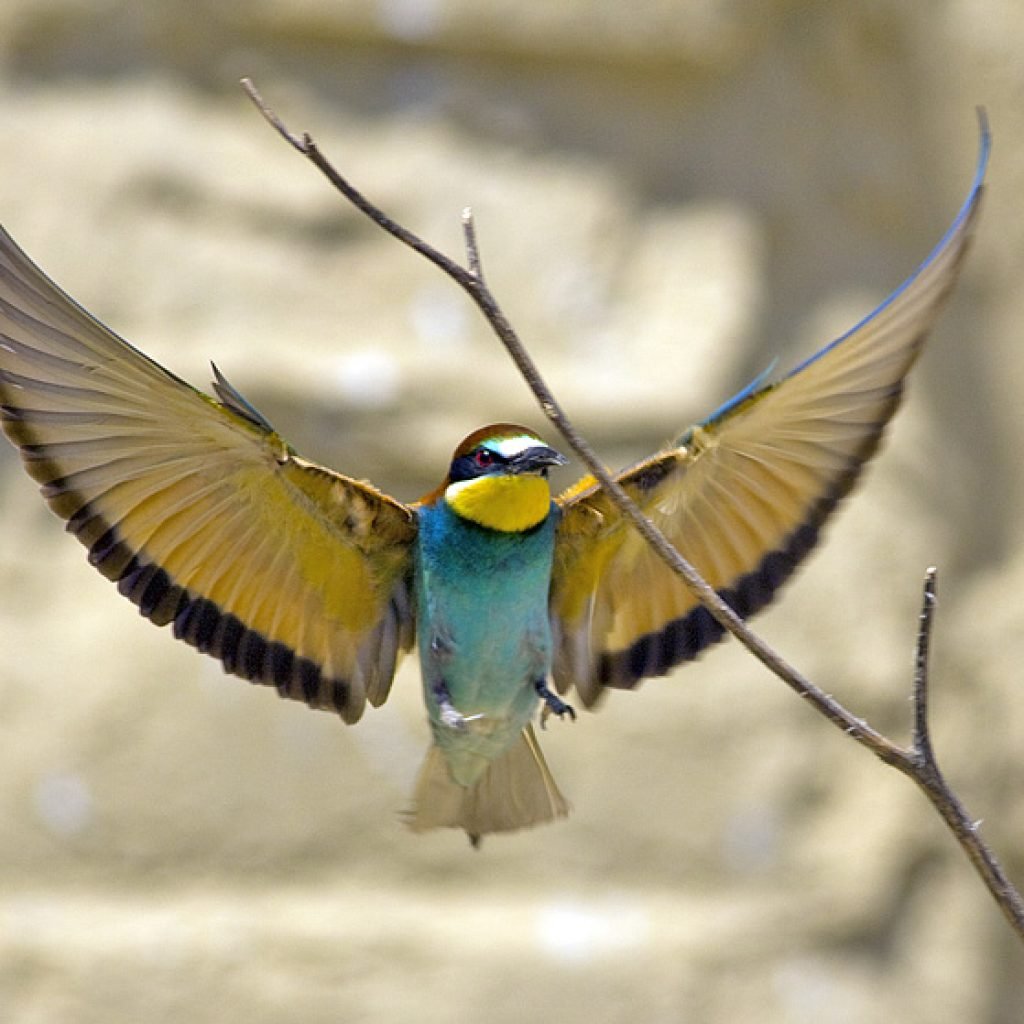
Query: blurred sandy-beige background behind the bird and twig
668, 197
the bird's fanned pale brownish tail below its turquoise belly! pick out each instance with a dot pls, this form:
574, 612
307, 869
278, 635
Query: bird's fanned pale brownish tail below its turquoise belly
517, 791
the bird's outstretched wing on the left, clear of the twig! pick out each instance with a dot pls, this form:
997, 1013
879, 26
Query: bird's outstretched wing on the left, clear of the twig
290, 574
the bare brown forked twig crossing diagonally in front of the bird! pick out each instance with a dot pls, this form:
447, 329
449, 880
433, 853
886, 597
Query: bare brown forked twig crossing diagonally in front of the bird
918, 761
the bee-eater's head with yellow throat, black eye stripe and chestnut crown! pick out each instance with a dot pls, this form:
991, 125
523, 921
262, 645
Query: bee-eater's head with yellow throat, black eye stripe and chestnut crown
499, 479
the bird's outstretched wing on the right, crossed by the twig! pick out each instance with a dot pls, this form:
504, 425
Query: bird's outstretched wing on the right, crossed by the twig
743, 495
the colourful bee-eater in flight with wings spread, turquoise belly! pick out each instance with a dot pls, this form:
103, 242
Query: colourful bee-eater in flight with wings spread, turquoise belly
309, 581
